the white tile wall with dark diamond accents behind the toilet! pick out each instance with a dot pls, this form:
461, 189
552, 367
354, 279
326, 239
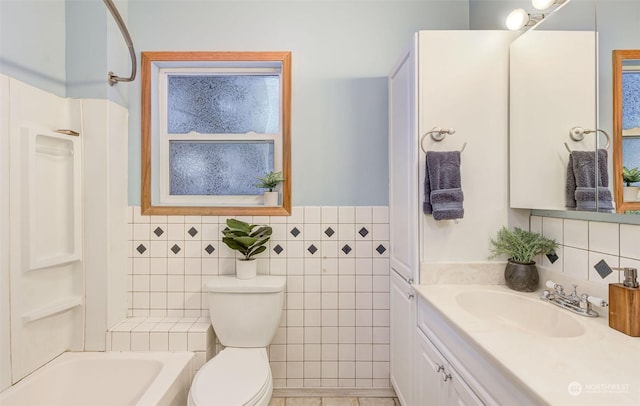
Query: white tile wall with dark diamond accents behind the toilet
335, 325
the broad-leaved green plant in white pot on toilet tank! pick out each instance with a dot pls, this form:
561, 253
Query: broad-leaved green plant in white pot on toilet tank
249, 240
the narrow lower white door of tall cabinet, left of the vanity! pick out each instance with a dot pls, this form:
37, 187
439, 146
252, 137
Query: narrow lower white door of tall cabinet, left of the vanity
403, 325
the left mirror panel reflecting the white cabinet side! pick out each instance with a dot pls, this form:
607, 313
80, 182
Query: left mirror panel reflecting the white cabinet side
553, 89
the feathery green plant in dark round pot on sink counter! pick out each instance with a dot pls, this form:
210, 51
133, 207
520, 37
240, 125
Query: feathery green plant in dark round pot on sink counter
520, 247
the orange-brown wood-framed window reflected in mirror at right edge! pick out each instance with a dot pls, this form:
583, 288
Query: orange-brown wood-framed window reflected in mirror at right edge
626, 128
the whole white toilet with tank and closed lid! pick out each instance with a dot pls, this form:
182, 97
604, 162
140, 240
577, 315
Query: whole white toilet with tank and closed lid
245, 315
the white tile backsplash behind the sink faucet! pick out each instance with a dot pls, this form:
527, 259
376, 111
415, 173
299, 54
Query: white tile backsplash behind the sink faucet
585, 243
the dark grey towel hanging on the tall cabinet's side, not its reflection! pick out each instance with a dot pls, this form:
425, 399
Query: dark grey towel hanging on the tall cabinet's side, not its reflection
443, 194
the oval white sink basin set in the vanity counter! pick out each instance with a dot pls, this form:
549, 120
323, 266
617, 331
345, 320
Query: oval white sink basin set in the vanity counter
519, 312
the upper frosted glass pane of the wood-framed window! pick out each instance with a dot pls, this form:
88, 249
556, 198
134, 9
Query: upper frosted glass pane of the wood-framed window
229, 104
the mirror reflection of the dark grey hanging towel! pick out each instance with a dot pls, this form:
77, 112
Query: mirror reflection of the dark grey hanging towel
581, 182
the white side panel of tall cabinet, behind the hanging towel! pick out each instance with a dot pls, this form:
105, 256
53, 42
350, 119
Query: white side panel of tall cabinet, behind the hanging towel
471, 98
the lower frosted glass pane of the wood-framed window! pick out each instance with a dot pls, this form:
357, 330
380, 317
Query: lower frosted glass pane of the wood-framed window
218, 168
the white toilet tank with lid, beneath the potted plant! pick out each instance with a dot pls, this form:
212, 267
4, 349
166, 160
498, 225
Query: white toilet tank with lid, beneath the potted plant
246, 313
